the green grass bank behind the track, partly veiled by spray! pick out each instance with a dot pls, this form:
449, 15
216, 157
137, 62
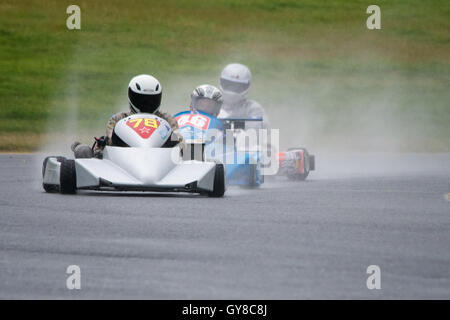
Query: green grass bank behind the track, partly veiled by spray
314, 63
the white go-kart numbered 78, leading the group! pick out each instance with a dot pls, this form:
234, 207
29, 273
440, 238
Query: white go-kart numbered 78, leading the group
138, 164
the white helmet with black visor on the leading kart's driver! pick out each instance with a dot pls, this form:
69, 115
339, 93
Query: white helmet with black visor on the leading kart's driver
144, 94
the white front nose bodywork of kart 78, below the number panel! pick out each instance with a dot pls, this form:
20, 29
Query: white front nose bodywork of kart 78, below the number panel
126, 168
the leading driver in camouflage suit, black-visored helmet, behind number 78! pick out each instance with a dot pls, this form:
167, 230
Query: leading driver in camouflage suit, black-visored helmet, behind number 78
144, 95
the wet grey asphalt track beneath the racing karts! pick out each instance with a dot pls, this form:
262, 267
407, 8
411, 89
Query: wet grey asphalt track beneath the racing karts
285, 241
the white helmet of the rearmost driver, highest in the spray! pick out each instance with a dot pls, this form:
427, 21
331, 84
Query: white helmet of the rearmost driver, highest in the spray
235, 82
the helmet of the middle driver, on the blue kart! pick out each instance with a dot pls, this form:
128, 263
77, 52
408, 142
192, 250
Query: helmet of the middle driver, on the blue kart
207, 98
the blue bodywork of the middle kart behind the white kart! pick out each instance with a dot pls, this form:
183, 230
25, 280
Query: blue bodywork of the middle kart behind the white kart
241, 167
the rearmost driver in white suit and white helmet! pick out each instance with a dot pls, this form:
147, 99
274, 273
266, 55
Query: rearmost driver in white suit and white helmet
235, 82
